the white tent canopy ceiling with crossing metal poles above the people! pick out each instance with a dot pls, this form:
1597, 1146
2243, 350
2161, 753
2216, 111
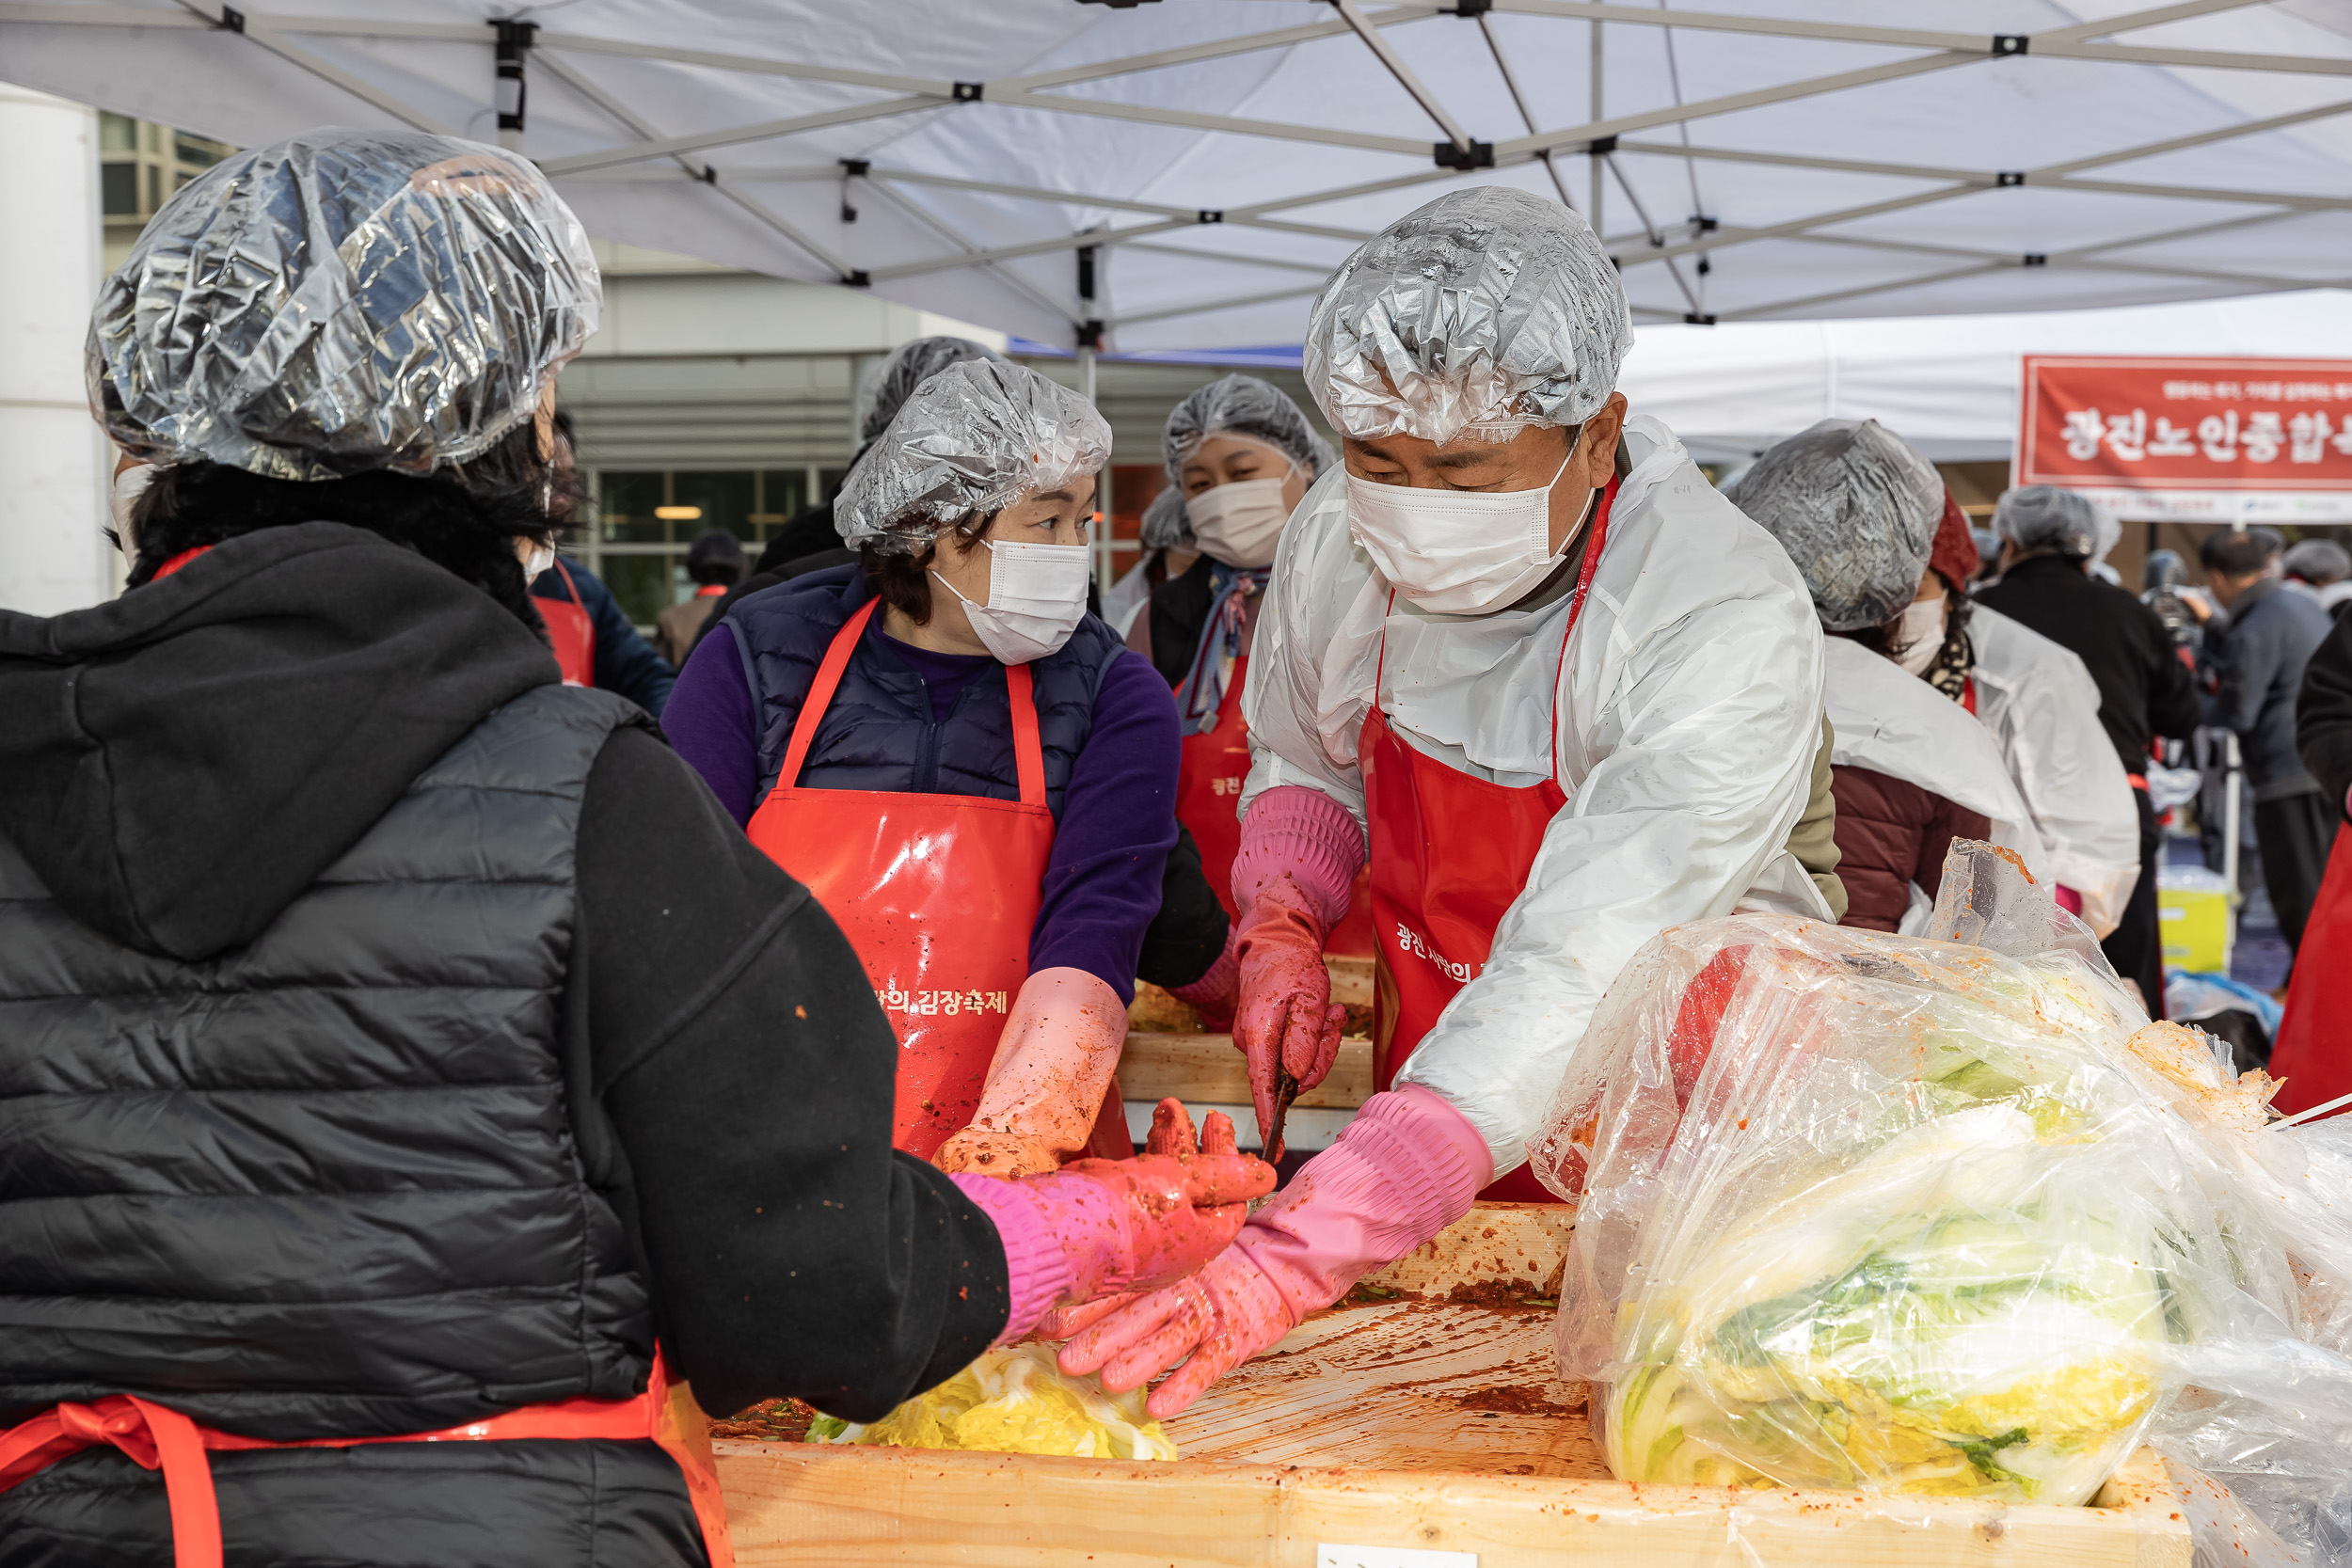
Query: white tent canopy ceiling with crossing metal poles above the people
1760, 161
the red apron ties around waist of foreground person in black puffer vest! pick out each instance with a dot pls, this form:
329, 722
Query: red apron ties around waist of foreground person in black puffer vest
166, 1440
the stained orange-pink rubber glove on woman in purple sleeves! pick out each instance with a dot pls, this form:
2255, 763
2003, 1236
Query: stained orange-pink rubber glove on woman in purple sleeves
1048, 1083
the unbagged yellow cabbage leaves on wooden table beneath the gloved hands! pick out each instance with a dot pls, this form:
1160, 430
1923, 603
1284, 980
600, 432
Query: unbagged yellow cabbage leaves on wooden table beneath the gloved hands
1015, 1400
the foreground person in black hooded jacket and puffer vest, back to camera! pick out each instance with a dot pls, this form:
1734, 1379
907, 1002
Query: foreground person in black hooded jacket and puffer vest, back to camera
420, 1052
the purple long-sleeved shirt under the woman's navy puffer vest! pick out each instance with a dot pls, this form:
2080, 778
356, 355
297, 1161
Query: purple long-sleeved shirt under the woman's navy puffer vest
1118, 815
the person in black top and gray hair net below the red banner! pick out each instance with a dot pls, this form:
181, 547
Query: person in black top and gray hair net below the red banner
2144, 688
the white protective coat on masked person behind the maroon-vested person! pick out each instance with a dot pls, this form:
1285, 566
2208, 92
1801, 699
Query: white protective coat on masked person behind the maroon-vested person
2043, 709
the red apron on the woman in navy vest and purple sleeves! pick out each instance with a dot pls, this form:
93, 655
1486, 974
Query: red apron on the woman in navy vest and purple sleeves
935, 892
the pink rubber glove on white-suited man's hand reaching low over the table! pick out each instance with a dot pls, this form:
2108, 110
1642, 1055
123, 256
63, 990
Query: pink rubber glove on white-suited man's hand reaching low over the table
1403, 1172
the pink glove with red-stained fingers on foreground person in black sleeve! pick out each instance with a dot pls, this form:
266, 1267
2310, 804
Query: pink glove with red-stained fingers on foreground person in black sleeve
1104, 1226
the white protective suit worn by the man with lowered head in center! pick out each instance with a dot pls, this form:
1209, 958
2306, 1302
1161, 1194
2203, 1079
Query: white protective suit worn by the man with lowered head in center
1688, 721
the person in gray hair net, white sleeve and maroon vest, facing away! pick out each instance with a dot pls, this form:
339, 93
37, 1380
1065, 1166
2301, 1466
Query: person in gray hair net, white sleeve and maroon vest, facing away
1857, 511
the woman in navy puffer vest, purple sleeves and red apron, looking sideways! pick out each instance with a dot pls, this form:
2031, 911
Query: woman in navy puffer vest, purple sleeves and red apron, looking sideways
867, 728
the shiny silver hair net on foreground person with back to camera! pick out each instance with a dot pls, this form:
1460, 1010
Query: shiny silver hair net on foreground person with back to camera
342, 302
